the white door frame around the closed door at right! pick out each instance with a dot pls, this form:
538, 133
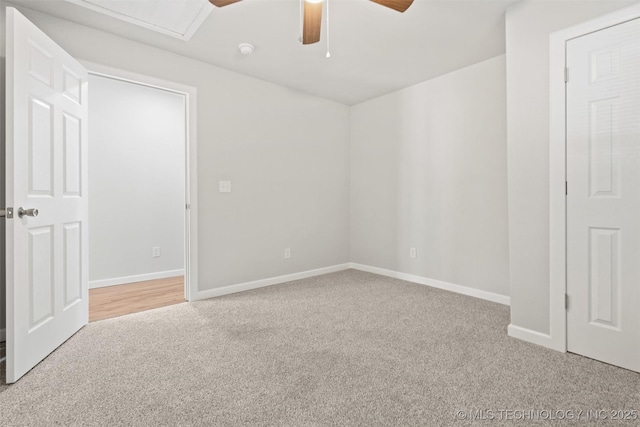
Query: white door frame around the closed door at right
557, 337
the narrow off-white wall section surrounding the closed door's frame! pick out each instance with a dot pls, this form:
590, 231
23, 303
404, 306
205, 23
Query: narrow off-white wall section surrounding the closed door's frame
528, 26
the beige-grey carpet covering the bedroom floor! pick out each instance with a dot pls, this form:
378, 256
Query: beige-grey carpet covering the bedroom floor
344, 349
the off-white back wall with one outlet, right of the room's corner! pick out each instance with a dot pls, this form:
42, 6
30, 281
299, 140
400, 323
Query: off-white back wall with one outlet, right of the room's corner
428, 170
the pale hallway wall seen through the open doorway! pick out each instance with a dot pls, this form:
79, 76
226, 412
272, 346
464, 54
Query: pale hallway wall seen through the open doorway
136, 180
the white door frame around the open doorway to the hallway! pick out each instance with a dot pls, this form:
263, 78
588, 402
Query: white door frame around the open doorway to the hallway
191, 159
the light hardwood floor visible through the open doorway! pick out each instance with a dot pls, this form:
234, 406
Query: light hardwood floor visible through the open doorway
114, 301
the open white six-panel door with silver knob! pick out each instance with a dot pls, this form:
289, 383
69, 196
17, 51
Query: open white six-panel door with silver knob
46, 170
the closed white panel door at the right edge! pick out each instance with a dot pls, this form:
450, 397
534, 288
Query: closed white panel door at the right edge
603, 201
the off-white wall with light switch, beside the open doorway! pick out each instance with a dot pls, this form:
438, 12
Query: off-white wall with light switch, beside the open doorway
285, 152
